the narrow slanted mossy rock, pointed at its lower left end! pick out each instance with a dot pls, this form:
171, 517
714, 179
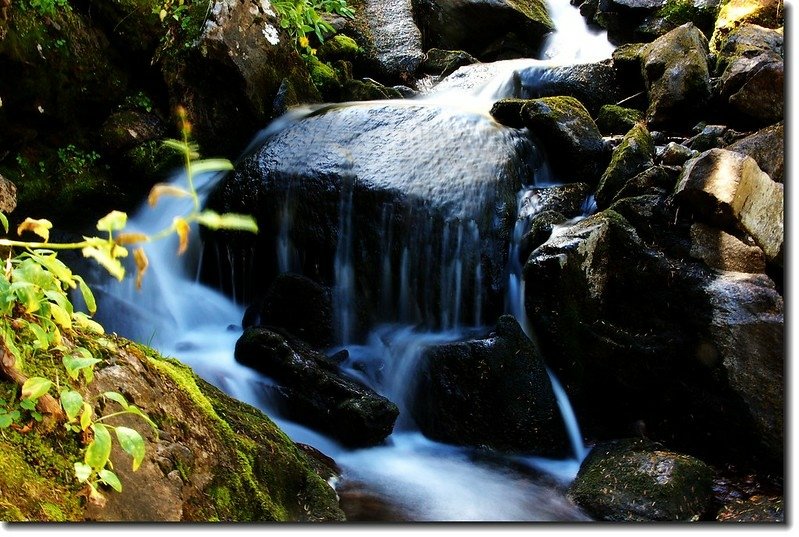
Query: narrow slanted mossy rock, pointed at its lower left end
635, 153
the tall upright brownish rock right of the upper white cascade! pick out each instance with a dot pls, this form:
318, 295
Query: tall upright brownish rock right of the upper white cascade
675, 70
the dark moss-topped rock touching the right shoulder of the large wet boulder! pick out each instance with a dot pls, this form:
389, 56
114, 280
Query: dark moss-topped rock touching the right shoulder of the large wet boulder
569, 137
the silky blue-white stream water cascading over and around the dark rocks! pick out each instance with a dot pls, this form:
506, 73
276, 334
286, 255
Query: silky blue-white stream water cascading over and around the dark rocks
420, 478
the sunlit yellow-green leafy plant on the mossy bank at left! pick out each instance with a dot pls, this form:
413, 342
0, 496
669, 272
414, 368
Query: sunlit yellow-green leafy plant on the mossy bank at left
37, 317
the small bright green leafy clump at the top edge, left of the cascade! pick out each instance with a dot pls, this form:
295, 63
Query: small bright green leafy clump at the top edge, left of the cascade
301, 18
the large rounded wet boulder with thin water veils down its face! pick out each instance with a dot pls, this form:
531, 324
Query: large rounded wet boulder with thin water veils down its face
351, 164
